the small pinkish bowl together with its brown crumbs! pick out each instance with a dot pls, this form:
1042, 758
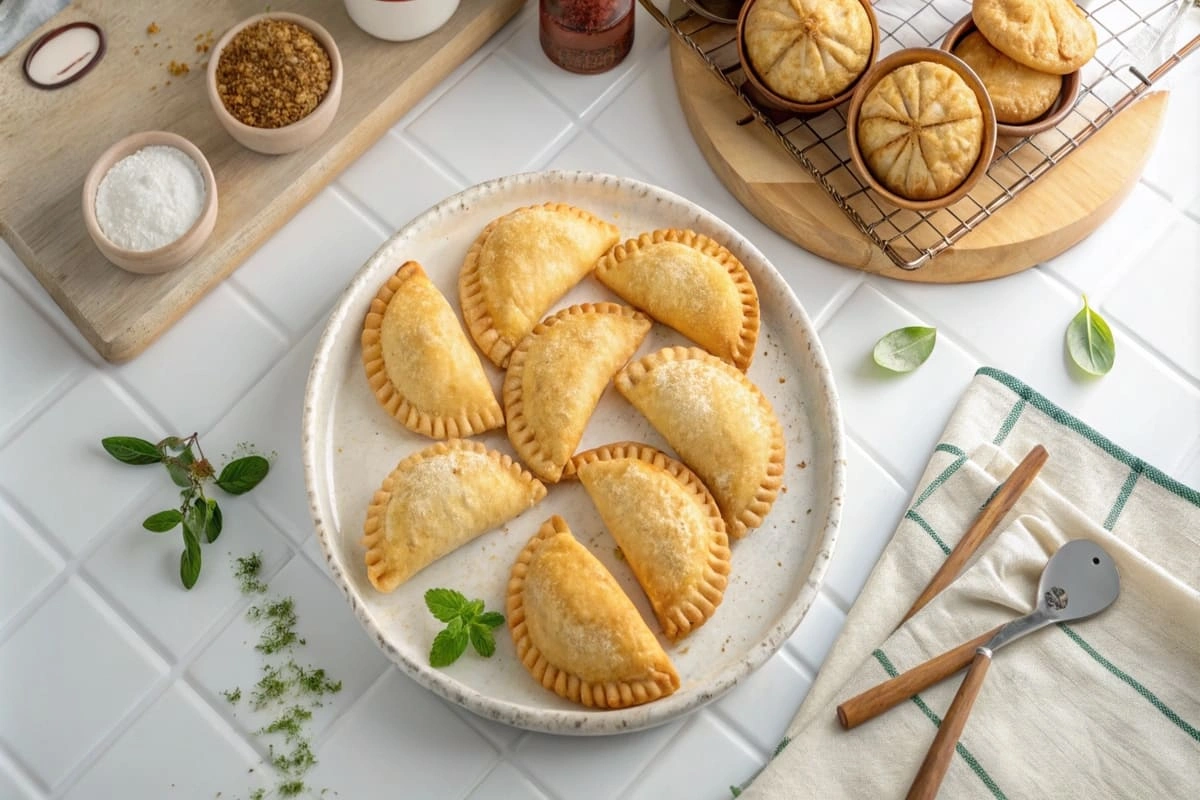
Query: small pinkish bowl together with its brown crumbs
275, 82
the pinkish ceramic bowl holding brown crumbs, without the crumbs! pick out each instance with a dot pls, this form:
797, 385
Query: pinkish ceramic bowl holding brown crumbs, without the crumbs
291, 137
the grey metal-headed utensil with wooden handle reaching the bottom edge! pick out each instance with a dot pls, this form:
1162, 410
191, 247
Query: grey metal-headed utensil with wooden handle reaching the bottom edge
1079, 581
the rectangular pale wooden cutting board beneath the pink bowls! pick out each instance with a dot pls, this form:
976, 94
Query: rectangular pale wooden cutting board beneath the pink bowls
49, 141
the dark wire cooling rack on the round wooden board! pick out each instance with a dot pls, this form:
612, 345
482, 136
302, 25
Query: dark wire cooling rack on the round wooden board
1139, 41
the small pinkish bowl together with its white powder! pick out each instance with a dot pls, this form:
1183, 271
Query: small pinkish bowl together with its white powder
151, 202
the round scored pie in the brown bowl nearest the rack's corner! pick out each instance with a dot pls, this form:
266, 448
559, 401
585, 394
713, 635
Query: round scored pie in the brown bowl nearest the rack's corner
921, 130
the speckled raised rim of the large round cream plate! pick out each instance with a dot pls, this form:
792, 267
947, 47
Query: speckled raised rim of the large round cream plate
581, 721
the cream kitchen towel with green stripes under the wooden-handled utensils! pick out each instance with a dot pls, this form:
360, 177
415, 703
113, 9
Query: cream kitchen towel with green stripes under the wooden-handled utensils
1103, 708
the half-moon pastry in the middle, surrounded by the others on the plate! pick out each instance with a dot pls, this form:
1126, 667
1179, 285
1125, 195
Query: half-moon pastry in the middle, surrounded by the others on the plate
557, 376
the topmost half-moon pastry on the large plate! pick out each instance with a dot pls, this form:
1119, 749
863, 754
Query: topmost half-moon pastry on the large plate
520, 266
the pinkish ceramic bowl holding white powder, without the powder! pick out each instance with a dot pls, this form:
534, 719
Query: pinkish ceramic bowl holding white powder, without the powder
169, 257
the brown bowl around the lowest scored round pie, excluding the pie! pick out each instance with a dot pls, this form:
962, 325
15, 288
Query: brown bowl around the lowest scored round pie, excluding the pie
895, 62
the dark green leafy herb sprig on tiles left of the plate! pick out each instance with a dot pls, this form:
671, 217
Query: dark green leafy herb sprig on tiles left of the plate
197, 514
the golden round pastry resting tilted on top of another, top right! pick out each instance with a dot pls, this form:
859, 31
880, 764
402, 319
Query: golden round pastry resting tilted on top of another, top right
1052, 37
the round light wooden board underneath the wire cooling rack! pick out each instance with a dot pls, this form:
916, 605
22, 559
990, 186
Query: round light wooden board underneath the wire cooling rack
1060, 209
